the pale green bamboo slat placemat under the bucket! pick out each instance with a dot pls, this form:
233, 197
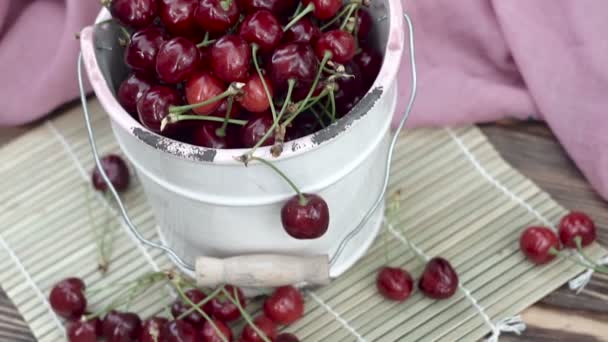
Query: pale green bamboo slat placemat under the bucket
459, 200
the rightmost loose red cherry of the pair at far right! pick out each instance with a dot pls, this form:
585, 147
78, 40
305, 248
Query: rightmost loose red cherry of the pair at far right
577, 224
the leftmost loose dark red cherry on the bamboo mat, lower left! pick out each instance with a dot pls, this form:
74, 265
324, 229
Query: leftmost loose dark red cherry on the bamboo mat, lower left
67, 298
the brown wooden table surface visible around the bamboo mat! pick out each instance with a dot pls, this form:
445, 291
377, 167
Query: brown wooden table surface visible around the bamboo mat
532, 149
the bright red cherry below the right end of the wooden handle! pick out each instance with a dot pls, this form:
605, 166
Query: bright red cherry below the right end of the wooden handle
285, 305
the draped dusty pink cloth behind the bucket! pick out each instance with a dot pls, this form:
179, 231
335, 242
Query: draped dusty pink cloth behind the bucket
478, 61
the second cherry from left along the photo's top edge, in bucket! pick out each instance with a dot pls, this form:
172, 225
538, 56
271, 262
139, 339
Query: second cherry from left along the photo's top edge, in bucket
178, 17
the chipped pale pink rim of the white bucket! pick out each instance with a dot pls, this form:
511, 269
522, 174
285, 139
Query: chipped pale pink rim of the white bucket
386, 77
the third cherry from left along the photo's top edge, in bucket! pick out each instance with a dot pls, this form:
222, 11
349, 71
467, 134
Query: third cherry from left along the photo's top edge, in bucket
212, 17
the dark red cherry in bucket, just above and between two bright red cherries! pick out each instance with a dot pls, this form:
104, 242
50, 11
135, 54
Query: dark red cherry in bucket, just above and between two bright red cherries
231, 58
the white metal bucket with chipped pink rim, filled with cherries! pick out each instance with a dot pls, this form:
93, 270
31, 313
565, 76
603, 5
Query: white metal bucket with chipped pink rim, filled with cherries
207, 203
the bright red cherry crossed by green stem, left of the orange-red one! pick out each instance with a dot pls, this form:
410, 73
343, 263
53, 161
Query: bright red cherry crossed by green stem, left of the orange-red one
202, 87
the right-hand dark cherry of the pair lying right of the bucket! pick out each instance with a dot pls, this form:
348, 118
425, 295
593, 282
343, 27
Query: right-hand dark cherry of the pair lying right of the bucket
439, 280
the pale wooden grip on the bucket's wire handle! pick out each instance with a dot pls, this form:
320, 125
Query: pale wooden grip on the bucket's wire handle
262, 270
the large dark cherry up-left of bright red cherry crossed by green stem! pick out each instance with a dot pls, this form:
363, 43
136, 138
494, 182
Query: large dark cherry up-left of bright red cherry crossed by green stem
176, 60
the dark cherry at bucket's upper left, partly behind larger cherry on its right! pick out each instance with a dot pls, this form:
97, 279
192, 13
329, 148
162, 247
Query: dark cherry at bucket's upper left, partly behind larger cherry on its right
140, 54
